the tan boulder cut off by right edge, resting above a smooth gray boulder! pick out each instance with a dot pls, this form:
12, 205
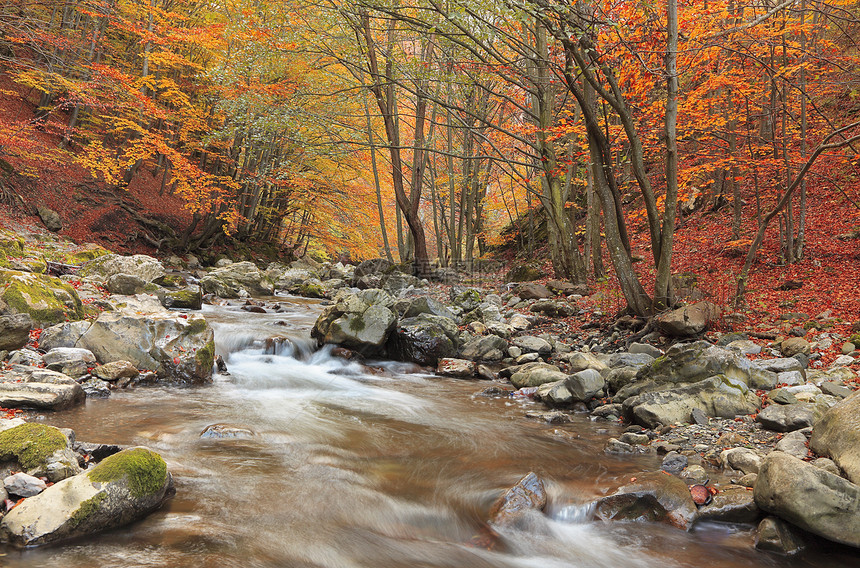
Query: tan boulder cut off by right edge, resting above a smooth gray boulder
837, 435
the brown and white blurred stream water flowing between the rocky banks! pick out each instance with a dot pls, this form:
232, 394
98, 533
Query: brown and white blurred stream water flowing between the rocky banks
350, 468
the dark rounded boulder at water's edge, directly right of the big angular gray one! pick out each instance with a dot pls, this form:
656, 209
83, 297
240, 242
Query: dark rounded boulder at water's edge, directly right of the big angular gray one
423, 339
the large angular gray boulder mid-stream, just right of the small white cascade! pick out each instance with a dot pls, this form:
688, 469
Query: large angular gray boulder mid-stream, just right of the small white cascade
360, 321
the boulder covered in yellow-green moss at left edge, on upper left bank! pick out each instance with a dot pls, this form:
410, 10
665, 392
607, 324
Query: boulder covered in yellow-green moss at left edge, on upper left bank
46, 299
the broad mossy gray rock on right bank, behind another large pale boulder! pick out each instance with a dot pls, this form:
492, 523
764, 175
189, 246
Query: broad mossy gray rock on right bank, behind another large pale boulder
691, 362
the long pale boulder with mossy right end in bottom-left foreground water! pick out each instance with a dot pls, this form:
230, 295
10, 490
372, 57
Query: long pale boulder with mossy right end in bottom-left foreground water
121, 489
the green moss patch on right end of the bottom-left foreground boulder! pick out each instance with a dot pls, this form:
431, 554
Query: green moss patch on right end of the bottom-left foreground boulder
144, 471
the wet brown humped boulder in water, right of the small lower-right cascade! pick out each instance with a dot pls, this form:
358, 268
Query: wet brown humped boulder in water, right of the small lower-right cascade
652, 496
